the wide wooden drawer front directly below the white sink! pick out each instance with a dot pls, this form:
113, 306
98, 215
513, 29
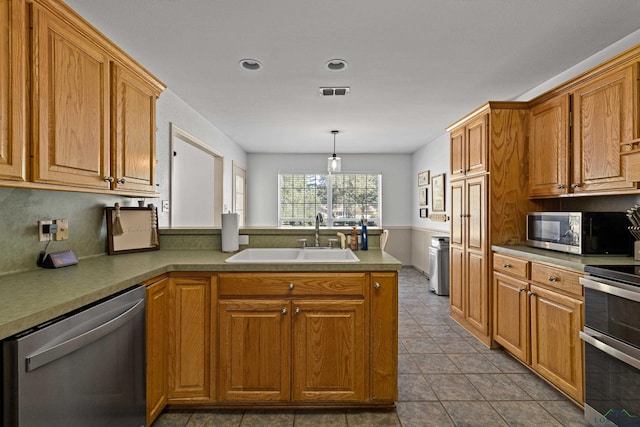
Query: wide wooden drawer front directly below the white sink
296, 284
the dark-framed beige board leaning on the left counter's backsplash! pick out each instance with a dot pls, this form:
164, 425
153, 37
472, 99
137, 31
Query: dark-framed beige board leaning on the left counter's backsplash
139, 230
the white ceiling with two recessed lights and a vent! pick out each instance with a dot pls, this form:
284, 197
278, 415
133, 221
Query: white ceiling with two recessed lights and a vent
415, 66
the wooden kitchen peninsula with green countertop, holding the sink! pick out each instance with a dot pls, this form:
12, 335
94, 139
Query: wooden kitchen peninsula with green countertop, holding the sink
317, 333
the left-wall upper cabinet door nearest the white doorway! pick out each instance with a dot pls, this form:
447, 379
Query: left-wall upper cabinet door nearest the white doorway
134, 115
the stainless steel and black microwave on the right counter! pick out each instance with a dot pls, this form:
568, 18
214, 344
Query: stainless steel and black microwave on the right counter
581, 233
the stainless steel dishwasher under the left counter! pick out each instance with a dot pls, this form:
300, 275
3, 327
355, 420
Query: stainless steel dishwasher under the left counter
86, 368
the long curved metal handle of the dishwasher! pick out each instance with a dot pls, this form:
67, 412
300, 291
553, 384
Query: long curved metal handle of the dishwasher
48, 355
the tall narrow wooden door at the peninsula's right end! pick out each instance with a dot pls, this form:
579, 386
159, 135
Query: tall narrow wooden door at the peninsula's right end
384, 337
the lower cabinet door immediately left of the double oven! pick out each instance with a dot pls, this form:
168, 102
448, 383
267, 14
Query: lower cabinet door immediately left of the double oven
556, 349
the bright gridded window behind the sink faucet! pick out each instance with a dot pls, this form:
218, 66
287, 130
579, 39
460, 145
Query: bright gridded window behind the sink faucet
343, 199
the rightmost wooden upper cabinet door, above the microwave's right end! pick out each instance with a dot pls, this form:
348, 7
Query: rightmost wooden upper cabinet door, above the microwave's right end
603, 118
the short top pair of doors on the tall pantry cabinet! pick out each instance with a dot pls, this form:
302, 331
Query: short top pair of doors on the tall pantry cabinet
469, 148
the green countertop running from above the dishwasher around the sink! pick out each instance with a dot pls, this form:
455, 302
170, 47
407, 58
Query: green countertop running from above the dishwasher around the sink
30, 298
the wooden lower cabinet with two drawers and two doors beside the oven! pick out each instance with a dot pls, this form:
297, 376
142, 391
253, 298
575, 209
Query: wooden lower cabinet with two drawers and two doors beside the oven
538, 317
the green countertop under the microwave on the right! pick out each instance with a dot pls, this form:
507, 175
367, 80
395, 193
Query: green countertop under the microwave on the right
574, 262
